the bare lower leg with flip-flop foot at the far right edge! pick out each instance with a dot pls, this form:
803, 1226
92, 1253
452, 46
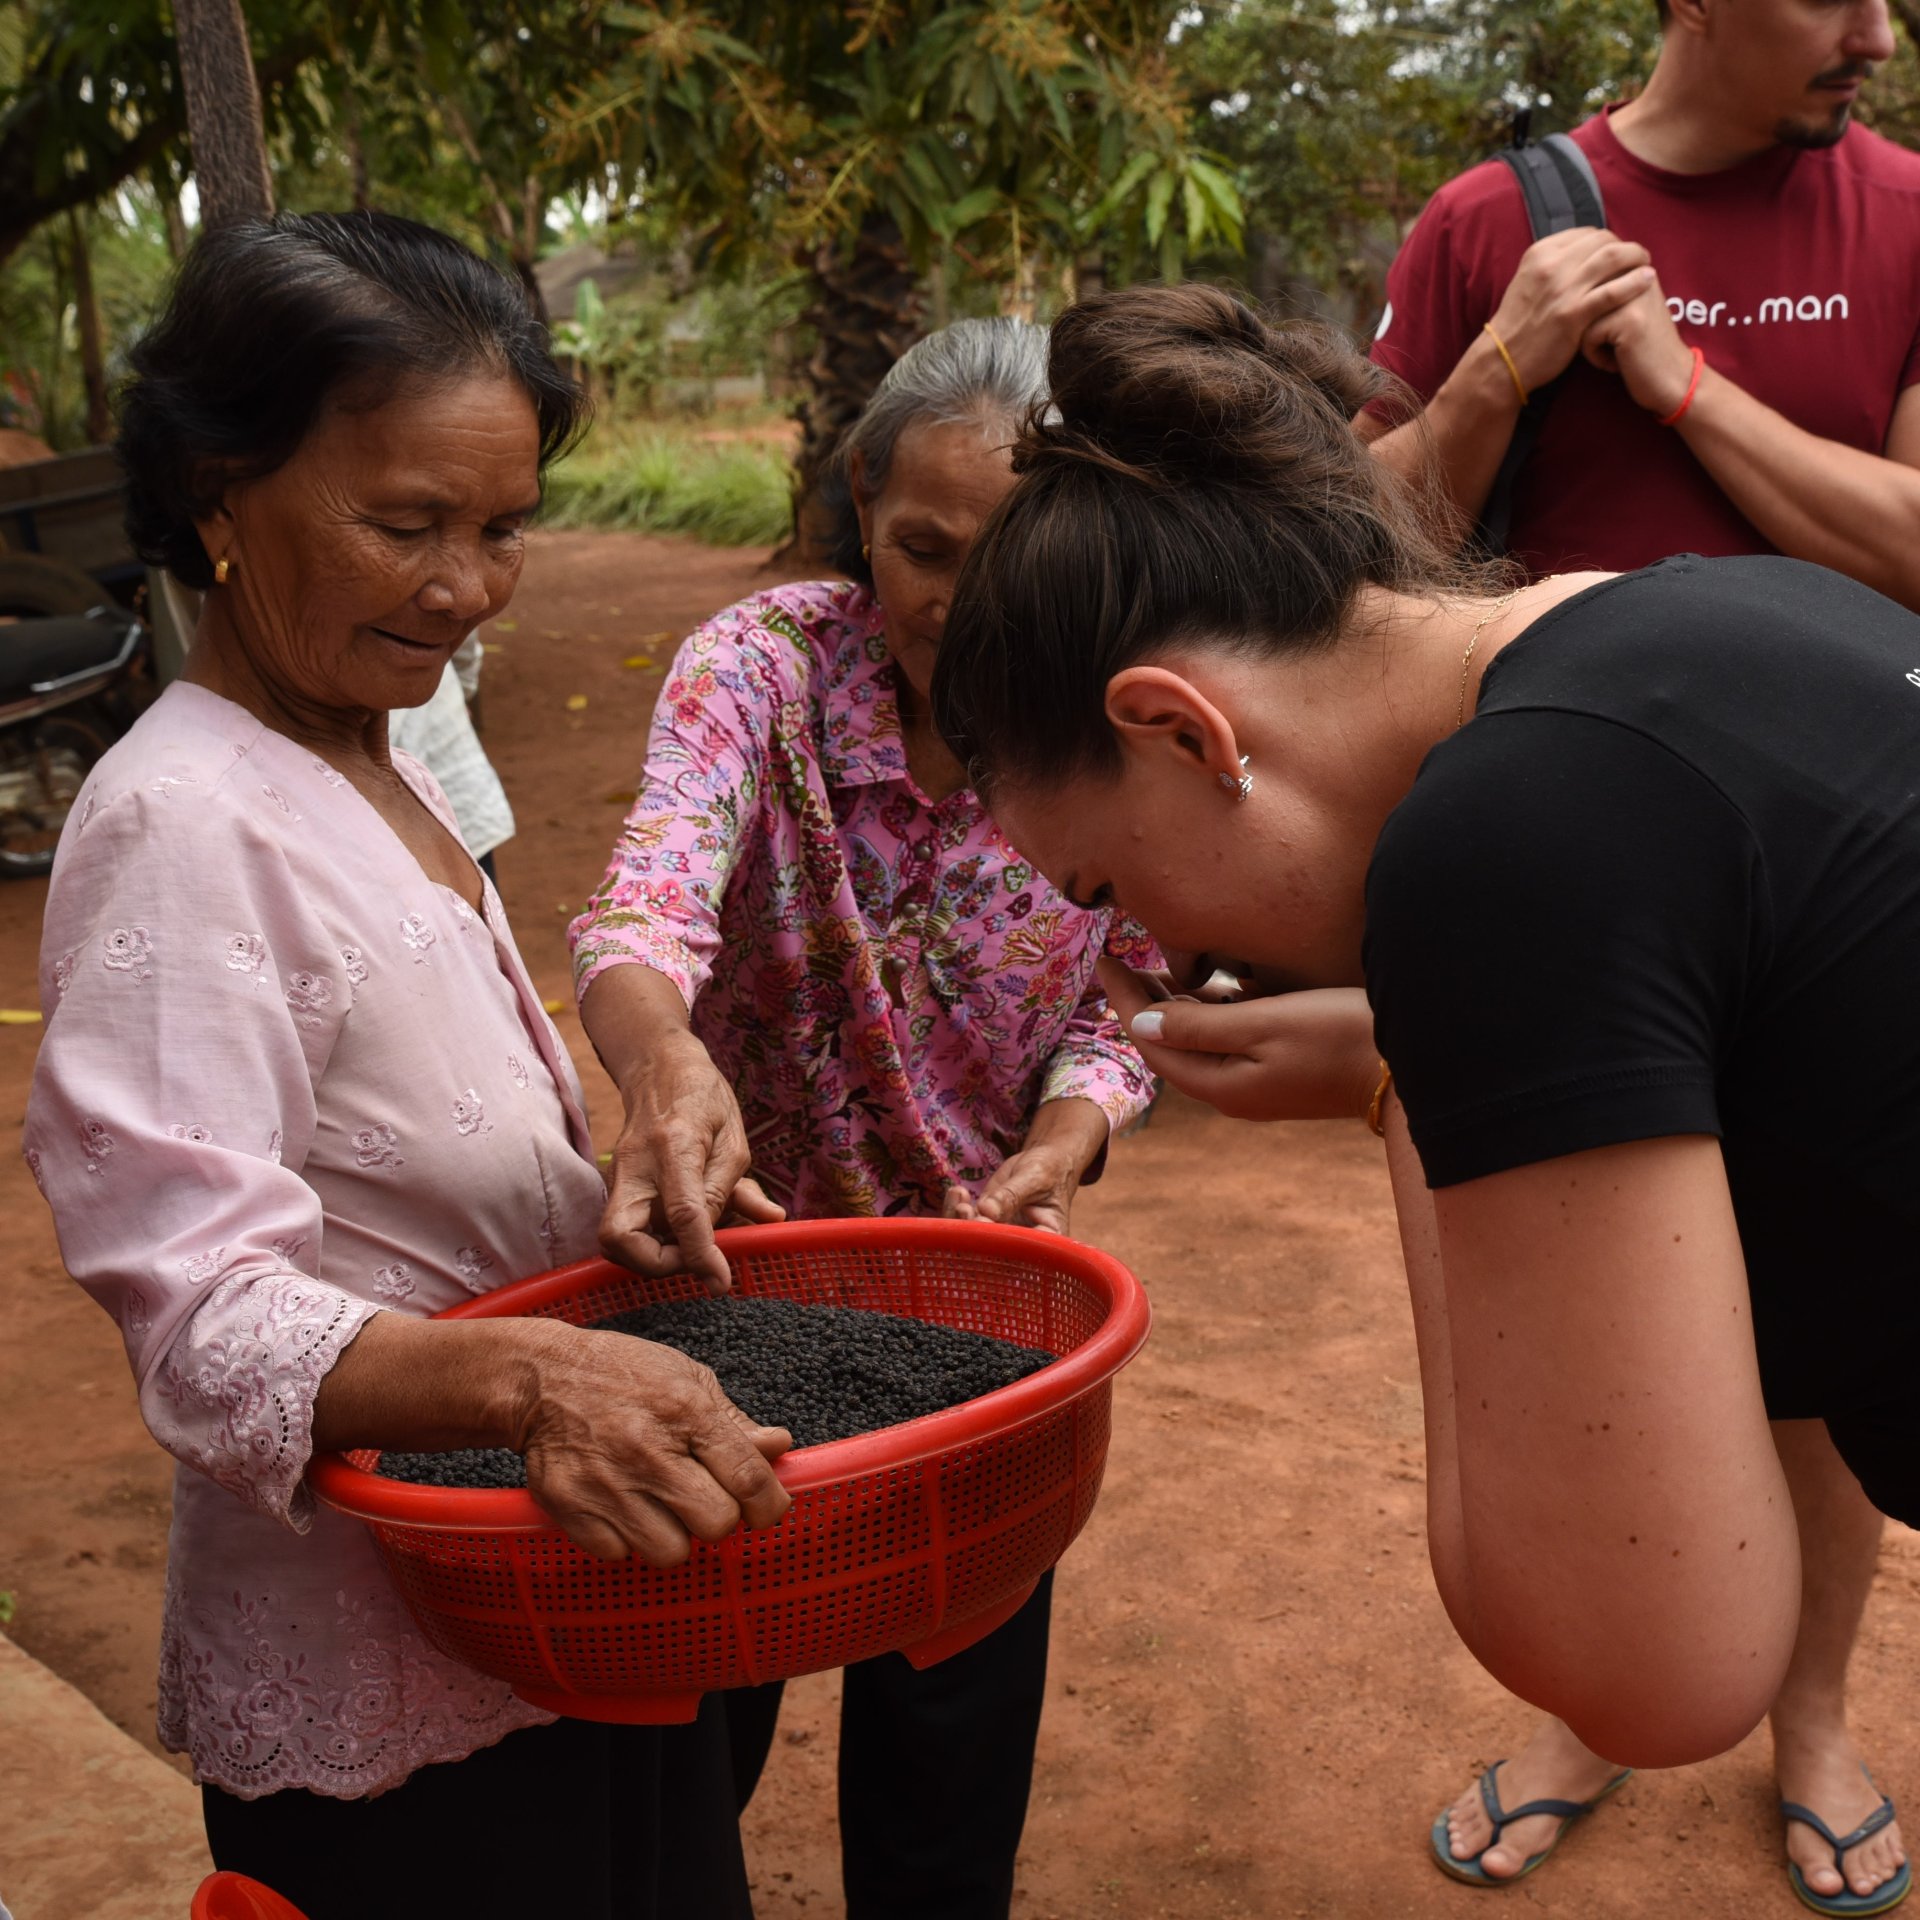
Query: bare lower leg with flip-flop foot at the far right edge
1815, 1758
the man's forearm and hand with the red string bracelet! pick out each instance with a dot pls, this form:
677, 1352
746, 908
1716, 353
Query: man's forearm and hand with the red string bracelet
1813, 498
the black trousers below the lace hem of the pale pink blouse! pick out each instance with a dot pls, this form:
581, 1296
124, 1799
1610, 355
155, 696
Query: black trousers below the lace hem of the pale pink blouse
573, 1821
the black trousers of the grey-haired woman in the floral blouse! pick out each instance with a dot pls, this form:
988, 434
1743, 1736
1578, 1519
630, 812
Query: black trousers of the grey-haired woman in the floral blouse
934, 1771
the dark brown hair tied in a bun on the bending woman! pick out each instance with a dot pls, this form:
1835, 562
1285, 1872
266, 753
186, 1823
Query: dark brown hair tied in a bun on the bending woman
1195, 479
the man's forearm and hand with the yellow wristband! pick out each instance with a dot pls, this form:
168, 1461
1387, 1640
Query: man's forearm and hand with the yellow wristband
1560, 289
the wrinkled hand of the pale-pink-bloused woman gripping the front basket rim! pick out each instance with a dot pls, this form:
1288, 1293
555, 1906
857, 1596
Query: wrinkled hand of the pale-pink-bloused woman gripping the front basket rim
633, 1449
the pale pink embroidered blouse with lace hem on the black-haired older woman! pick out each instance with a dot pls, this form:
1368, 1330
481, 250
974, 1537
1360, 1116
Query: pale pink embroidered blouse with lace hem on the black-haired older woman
287, 1084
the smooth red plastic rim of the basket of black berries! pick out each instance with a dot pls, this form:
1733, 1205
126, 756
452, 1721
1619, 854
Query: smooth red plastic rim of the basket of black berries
510, 1510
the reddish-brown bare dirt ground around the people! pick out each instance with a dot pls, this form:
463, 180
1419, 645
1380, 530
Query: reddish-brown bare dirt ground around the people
1257, 1702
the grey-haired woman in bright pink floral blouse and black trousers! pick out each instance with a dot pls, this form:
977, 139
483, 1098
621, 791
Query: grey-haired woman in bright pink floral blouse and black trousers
828, 986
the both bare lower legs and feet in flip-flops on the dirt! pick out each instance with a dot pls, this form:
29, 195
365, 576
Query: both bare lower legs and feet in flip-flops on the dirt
1815, 1756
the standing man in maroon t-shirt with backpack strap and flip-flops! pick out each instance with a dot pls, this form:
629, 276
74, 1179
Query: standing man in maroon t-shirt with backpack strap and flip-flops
1750, 222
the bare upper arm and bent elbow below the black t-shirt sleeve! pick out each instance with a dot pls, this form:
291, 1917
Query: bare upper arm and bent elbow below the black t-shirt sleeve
1625, 1548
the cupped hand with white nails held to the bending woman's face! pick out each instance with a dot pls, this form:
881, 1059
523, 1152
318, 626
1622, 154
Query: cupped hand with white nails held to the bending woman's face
1287, 1057
